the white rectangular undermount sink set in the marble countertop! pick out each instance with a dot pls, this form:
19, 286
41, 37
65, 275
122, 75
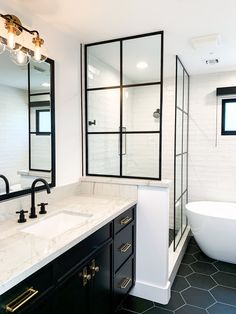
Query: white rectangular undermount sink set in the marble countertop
57, 224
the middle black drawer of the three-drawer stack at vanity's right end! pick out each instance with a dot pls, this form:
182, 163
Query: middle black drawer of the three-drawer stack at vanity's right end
123, 245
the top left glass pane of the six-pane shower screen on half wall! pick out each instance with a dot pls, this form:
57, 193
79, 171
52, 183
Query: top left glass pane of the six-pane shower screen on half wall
103, 65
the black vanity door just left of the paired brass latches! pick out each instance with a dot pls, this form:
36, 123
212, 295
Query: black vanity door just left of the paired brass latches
71, 297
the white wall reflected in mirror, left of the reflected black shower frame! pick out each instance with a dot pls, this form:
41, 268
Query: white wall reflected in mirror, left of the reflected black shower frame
13, 132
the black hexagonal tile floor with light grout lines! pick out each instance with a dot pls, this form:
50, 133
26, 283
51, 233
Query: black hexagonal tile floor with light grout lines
202, 286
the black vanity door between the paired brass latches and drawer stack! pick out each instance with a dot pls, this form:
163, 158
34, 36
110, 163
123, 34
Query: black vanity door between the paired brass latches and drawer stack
100, 285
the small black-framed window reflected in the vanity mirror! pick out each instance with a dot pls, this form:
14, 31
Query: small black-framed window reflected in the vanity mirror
43, 122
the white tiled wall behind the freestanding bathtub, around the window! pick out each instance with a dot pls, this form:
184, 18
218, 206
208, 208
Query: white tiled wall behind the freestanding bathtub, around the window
212, 162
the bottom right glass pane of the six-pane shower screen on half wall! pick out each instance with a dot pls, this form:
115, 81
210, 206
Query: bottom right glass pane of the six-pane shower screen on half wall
139, 147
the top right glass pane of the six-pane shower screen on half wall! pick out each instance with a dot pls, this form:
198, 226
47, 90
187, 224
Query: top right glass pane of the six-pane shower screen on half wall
142, 60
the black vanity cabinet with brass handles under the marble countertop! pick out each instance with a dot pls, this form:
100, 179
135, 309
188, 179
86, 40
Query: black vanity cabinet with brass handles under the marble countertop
93, 277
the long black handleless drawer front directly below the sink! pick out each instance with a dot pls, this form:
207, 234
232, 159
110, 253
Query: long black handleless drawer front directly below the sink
66, 263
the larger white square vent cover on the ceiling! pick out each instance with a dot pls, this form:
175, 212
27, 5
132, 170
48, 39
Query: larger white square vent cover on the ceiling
208, 42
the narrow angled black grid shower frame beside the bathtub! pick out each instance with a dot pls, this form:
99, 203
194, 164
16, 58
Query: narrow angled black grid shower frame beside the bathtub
184, 113
